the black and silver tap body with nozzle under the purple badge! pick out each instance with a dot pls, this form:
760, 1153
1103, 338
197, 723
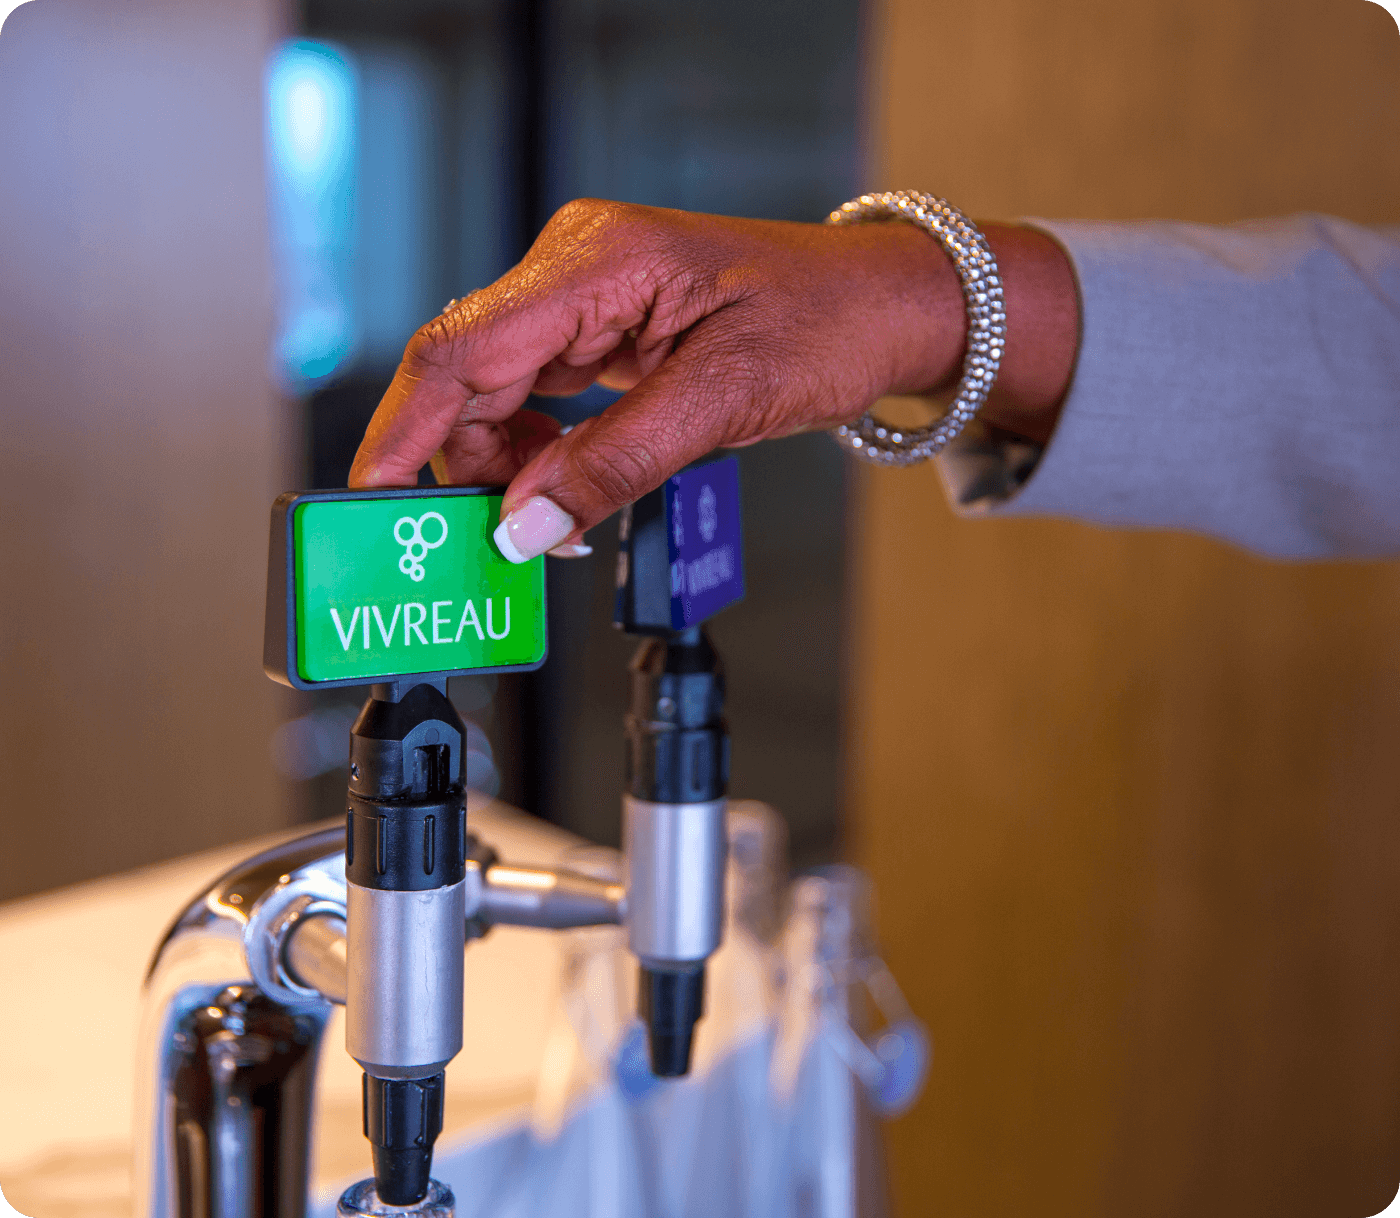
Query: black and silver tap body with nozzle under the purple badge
674, 827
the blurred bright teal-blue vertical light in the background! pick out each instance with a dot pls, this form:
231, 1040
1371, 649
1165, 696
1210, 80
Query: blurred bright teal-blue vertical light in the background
311, 146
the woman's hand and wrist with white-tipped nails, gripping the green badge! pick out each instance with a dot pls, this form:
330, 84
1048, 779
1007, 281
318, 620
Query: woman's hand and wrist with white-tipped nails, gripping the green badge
723, 331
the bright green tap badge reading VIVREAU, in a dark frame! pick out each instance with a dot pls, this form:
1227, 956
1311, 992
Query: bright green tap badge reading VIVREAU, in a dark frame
386, 584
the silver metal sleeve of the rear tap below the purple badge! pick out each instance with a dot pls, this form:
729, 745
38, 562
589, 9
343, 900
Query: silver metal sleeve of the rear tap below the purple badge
675, 880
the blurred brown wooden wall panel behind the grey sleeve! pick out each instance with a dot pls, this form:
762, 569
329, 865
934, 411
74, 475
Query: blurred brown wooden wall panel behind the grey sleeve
1132, 801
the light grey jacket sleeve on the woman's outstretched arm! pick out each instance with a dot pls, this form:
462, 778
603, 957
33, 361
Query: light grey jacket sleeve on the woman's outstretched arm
1241, 381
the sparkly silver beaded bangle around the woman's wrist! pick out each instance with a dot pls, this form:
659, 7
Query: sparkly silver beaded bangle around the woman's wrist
870, 439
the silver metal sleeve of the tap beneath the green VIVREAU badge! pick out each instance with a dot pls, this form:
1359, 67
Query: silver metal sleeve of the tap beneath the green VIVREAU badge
404, 995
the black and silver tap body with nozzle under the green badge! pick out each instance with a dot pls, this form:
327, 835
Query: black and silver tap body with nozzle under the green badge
405, 923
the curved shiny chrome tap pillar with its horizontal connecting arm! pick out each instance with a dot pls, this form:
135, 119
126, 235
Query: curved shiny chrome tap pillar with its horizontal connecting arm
236, 1003
